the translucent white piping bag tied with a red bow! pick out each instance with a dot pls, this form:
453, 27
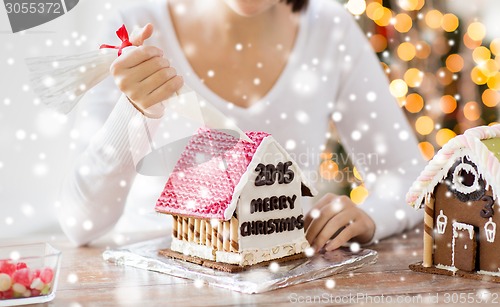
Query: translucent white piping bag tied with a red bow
61, 81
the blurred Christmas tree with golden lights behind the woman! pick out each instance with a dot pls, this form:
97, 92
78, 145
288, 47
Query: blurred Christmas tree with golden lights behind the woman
442, 70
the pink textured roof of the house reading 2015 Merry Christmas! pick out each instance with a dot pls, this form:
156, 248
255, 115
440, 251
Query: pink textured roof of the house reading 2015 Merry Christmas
204, 179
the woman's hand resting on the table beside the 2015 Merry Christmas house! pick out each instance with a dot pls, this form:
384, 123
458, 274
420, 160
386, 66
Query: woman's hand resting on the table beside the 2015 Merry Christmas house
337, 219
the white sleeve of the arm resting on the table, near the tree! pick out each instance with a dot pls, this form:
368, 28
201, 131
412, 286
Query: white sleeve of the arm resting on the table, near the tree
376, 134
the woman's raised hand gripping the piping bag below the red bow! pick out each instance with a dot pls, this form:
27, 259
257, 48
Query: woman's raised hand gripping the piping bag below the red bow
143, 74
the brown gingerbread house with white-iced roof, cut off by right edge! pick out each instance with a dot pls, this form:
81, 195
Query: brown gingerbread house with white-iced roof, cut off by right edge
459, 191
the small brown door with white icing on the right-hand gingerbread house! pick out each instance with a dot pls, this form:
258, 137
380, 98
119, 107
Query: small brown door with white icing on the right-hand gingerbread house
464, 247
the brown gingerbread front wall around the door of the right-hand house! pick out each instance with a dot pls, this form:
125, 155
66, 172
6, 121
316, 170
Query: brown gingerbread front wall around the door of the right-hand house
469, 213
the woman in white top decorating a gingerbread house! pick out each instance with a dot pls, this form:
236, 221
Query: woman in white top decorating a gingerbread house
284, 68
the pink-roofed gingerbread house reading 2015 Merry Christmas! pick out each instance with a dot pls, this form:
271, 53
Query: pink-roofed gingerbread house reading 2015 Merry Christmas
235, 201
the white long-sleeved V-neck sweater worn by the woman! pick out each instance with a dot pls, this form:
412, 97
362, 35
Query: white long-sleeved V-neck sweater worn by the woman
332, 74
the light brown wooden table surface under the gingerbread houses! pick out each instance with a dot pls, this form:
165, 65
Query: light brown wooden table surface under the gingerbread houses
87, 280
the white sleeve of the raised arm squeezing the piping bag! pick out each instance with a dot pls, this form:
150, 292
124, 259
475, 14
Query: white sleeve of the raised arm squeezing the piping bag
96, 186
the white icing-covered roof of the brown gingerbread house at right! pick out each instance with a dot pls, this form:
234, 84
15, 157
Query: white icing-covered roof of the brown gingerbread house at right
469, 144
